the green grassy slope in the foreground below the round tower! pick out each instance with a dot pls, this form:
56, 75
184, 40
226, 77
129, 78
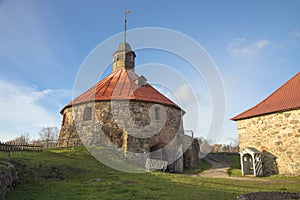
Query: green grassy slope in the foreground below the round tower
74, 174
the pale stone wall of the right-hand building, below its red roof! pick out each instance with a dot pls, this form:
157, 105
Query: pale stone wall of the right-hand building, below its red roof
278, 137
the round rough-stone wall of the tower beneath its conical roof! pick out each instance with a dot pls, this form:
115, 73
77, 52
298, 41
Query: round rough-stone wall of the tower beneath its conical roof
132, 125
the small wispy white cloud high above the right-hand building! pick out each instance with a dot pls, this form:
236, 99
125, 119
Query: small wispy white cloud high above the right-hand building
238, 48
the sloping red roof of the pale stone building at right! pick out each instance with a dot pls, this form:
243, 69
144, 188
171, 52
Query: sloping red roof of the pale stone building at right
287, 97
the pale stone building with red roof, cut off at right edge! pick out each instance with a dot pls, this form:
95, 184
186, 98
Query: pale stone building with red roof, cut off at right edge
273, 128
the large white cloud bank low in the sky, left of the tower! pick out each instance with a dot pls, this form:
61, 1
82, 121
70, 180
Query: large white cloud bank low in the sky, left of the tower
22, 109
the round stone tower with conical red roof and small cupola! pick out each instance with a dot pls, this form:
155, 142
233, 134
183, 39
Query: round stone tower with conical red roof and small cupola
126, 112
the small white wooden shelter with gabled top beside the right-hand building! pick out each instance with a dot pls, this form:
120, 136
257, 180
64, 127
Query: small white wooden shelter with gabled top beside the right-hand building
251, 163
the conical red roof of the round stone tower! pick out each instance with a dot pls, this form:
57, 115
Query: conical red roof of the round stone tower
121, 84
